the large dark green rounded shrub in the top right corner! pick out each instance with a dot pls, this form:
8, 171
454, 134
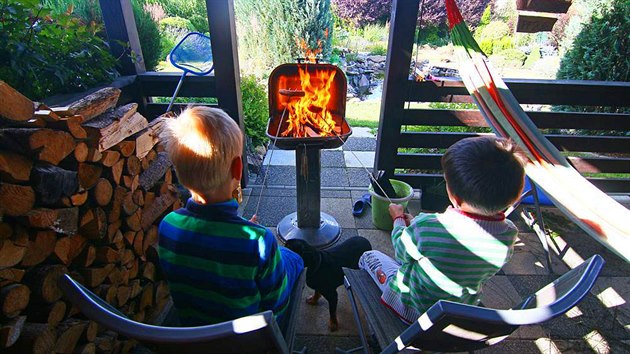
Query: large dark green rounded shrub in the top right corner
600, 51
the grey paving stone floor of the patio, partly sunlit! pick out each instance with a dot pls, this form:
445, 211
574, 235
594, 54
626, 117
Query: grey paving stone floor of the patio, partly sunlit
600, 324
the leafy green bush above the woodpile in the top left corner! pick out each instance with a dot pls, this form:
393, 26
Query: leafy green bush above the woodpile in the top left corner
46, 53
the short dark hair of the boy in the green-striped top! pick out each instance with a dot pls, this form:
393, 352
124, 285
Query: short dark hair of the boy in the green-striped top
485, 172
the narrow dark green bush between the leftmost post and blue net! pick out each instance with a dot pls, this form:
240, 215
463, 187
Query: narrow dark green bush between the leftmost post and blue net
149, 36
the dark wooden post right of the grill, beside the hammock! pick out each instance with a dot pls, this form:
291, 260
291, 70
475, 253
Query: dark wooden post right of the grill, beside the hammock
395, 87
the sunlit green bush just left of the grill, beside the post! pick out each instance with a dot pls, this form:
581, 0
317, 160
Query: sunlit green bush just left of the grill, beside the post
255, 109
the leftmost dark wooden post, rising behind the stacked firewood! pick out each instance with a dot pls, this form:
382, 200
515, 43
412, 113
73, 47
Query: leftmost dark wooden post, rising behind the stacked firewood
120, 26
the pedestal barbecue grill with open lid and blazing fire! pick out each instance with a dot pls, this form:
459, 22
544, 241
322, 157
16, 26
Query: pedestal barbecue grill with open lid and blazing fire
288, 89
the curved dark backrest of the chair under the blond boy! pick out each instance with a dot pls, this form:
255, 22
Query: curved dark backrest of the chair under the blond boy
252, 334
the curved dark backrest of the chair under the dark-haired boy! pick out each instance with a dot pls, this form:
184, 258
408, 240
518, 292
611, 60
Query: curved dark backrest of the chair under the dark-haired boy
450, 326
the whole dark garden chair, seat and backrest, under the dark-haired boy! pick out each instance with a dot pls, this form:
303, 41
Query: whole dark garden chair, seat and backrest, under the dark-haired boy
453, 327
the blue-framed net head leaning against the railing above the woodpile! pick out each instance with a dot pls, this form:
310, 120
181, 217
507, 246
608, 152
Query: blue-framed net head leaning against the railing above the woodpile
193, 54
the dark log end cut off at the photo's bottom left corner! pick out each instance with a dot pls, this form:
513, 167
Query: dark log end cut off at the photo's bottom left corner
36, 338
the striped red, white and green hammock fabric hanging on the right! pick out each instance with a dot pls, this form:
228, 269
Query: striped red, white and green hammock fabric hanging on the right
590, 208
